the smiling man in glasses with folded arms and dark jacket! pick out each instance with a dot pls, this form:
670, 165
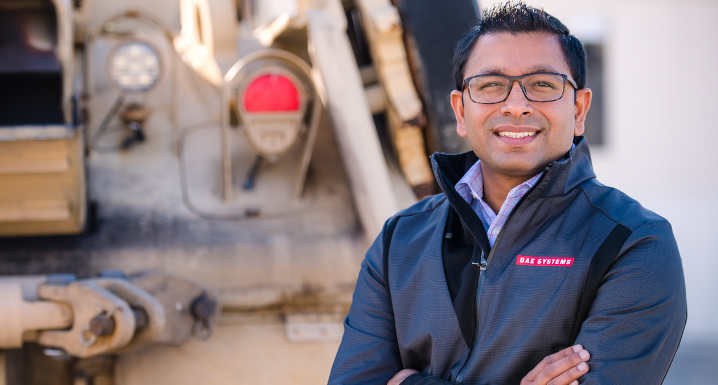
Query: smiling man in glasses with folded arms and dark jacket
486, 283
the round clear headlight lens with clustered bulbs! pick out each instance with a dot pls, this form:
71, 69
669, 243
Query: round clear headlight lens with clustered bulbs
134, 66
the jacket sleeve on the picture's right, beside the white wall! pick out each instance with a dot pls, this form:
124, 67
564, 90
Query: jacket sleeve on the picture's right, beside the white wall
637, 318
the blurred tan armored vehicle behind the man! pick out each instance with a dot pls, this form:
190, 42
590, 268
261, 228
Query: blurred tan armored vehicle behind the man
187, 187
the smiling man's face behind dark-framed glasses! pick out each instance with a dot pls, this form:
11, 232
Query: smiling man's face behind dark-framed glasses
550, 125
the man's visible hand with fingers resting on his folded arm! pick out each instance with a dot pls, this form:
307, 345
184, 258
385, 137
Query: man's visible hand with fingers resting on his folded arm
562, 368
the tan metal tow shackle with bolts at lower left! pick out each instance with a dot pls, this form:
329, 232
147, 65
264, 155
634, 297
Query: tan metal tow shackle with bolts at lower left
112, 314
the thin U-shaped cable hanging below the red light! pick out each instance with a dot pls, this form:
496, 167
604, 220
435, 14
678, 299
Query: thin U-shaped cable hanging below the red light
230, 216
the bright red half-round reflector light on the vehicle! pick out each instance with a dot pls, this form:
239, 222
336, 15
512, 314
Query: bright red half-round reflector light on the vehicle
271, 93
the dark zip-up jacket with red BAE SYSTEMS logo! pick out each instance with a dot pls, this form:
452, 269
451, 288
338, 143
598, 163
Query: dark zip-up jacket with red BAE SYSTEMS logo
453, 321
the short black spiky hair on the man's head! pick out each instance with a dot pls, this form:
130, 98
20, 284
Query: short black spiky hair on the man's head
517, 17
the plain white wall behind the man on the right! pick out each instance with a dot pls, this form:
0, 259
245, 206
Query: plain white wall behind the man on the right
661, 60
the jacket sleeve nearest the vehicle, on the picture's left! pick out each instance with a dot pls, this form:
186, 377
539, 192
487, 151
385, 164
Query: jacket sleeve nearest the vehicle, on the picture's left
369, 352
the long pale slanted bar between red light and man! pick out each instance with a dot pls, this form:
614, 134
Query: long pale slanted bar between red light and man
342, 92
